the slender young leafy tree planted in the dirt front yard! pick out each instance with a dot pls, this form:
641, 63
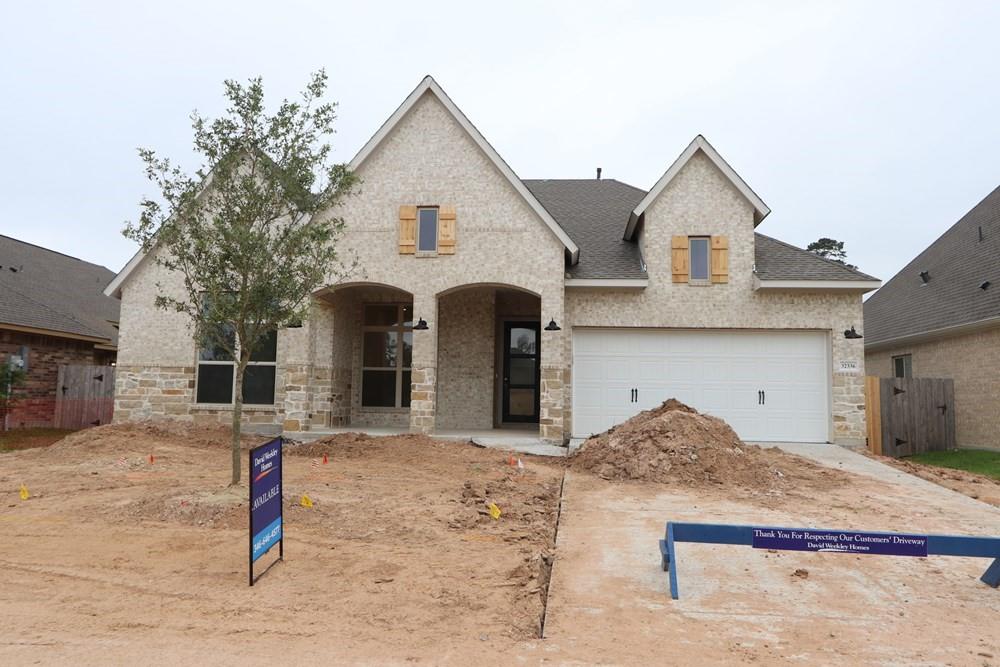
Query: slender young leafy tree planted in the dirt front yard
250, 232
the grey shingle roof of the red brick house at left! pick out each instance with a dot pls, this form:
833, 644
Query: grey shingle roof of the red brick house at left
49, 290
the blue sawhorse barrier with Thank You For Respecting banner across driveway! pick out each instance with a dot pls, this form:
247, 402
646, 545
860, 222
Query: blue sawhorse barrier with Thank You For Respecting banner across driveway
820, 539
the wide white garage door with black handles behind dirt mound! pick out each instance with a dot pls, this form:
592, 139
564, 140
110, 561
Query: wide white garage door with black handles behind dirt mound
771, 386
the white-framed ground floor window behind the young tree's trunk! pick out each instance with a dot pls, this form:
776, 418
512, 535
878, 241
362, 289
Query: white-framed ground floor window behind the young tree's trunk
217, 373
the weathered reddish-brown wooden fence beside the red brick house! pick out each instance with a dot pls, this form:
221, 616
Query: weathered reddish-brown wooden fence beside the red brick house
85, 396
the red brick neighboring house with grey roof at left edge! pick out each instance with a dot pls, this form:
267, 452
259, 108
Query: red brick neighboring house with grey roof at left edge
52, 312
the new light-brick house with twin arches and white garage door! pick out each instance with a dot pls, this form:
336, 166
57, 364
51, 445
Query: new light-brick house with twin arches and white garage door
485, 301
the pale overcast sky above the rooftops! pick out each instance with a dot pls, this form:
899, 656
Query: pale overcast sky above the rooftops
873, 123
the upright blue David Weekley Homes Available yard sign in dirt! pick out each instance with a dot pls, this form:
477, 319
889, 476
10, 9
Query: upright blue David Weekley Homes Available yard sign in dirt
265, 503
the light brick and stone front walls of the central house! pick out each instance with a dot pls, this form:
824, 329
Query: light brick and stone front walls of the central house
507, 264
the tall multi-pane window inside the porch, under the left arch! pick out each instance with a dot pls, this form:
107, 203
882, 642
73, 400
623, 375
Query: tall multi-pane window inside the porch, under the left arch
387, 350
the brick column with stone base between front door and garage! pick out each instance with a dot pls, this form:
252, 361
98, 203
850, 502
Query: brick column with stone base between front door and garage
553, 371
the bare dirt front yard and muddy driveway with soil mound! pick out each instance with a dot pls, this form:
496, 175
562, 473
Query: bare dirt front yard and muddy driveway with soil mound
131, 549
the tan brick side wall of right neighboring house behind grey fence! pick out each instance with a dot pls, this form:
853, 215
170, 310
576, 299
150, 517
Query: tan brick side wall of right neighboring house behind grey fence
973, 362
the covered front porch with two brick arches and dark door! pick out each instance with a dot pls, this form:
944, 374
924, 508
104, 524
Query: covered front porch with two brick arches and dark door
466, 362
